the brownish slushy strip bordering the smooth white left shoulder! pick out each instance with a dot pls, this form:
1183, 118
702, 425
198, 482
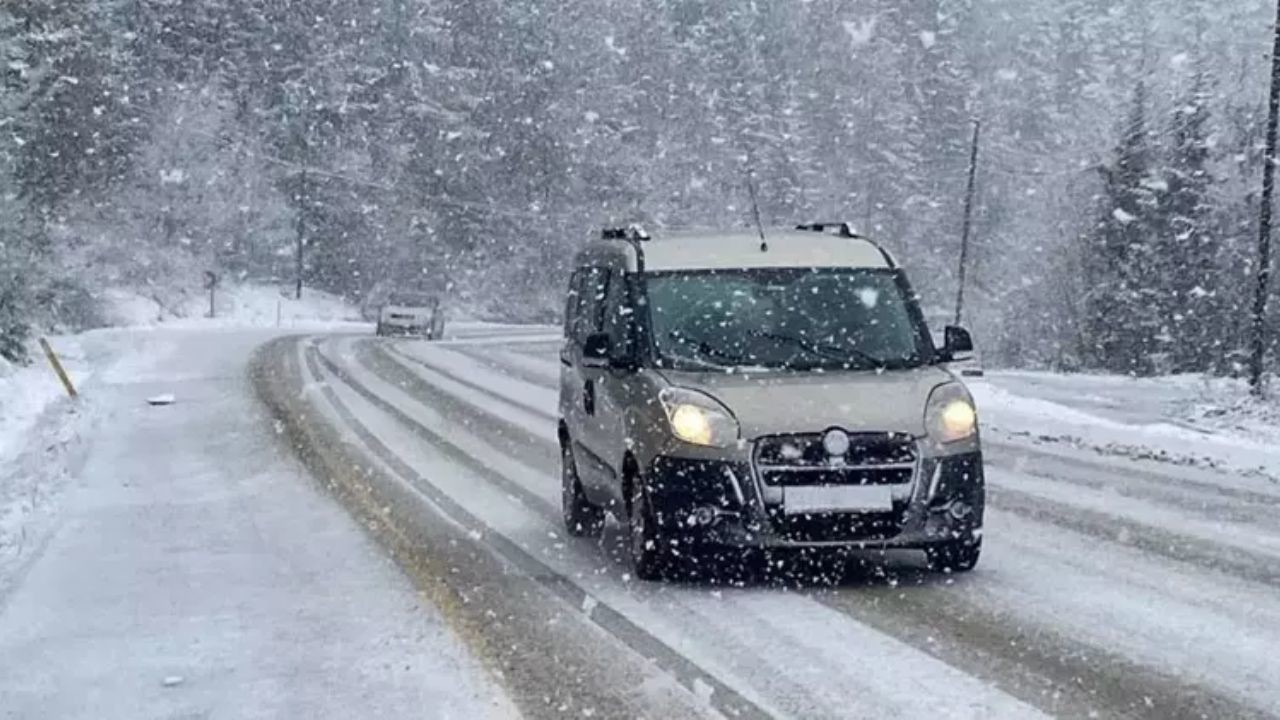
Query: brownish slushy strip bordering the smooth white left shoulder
555, 664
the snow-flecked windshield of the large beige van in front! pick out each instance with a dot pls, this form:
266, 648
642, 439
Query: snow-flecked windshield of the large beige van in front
792, 320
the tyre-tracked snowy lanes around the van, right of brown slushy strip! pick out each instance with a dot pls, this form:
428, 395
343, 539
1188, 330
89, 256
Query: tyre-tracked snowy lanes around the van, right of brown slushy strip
1110, 587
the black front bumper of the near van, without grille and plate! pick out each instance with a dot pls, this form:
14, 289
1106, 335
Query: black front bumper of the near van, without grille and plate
725, 504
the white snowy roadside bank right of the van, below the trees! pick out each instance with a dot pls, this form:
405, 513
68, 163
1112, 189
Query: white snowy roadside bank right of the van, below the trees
1188, 421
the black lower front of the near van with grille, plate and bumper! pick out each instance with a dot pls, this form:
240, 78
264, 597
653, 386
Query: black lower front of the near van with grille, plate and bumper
884, 493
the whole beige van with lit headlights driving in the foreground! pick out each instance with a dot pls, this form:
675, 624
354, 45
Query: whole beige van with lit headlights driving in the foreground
720, 391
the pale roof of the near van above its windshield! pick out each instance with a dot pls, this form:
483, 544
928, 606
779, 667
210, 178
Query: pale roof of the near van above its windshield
725, 250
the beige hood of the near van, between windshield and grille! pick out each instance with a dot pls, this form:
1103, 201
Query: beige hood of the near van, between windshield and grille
771, 403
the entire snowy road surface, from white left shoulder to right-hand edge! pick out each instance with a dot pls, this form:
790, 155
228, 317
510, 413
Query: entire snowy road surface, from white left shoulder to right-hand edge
195, 568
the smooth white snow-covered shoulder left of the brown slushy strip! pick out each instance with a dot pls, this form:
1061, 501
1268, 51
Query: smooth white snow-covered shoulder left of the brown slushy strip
196, 571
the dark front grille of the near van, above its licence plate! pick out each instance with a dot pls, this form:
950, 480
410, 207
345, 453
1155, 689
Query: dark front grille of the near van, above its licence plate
874, 459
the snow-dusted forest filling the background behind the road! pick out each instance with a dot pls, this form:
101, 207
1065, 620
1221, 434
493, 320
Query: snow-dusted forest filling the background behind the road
477, 144
